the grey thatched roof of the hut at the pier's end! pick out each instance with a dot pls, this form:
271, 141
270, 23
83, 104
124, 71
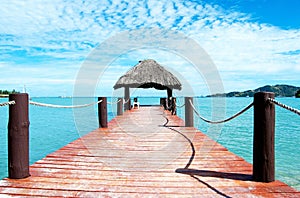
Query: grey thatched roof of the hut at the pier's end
148, 74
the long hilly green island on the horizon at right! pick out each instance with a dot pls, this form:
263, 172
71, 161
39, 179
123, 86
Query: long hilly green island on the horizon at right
279, 90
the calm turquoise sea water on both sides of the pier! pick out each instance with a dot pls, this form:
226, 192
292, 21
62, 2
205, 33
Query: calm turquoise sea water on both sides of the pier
52, 128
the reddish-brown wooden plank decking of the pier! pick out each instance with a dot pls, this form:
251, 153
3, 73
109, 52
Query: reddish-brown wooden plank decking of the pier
144, 153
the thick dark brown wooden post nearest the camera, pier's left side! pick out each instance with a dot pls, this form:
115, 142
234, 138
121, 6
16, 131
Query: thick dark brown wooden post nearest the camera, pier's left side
18, 137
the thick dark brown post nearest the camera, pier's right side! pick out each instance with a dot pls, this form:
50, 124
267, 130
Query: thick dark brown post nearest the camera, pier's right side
263, 143
